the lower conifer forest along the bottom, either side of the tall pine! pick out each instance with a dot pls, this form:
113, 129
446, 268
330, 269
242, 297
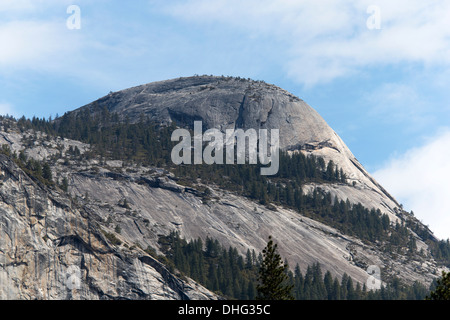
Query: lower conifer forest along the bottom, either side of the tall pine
233, 276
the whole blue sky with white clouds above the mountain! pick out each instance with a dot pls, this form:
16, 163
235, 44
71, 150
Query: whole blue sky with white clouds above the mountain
377, 71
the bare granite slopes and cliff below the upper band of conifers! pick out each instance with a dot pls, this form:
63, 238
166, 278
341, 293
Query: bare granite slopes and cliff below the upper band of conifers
67, 235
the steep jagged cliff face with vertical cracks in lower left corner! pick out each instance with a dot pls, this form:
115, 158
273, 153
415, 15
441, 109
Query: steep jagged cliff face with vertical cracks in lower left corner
51, 248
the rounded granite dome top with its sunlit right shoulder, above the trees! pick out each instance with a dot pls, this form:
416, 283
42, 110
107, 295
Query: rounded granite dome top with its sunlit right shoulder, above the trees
229, 103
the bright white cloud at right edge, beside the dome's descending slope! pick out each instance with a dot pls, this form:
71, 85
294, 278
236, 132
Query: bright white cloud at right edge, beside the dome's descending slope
420, 179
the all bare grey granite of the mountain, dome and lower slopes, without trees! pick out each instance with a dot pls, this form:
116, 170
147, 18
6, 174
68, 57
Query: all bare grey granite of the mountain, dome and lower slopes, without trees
83, 244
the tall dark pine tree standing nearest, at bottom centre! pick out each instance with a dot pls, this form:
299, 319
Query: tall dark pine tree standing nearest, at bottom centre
273, 276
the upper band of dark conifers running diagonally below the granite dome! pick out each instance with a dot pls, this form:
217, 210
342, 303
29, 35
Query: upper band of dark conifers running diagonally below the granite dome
149, 144
